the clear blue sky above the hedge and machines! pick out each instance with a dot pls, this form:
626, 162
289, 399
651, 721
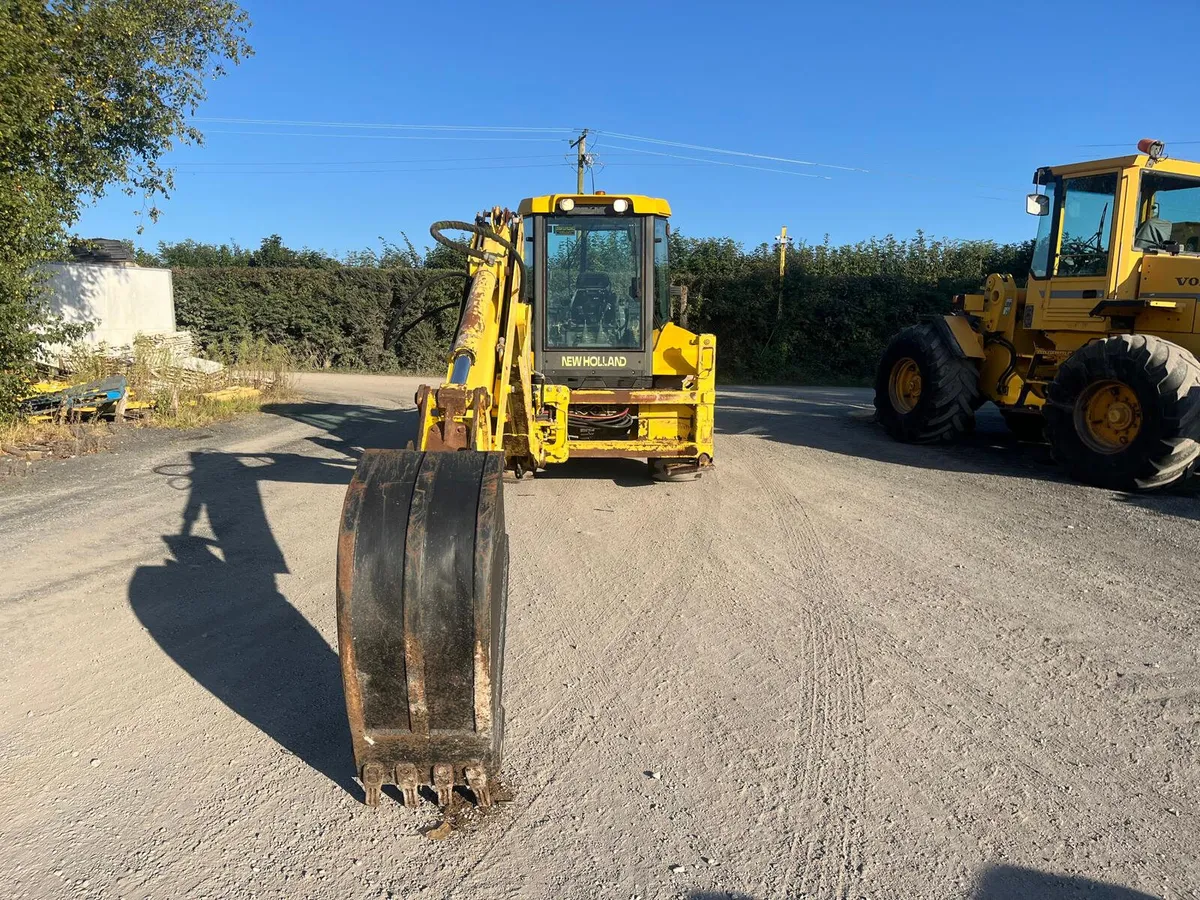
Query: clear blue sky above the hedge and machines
947, 106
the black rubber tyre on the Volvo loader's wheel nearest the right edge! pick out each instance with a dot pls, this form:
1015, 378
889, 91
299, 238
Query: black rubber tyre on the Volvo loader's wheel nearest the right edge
1166, 380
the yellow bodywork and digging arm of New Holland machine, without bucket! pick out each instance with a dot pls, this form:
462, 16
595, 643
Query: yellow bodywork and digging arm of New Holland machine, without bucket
490, 399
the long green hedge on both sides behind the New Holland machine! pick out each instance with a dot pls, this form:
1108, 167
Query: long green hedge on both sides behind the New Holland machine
841, 305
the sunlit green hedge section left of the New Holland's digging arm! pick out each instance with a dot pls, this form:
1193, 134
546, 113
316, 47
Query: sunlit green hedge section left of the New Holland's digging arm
349, 317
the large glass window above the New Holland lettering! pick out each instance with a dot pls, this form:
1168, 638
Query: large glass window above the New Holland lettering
593, 283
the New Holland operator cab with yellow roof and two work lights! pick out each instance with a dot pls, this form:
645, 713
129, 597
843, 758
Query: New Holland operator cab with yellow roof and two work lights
599, 285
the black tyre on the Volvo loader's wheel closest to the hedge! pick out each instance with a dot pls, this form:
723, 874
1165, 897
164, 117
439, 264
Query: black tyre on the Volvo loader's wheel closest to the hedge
950, 391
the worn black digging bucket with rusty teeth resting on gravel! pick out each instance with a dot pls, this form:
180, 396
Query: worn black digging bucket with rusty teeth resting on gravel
422, 593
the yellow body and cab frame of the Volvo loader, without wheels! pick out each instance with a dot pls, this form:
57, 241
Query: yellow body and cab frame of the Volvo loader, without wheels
1136, 290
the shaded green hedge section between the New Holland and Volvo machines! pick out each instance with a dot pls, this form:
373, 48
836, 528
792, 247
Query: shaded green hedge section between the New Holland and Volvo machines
841, 305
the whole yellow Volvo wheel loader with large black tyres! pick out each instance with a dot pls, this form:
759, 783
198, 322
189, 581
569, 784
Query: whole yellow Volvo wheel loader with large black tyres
1097, 352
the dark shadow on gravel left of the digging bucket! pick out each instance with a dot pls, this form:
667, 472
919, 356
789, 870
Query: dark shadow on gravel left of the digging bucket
214, 605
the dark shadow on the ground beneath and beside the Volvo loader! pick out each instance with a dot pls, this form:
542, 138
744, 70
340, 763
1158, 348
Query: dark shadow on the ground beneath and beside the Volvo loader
838, 421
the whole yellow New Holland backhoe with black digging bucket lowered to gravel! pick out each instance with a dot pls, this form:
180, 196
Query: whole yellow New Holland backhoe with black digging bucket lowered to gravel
565, 349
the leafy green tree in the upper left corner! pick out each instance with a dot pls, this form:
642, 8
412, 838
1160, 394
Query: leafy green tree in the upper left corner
93, 93
